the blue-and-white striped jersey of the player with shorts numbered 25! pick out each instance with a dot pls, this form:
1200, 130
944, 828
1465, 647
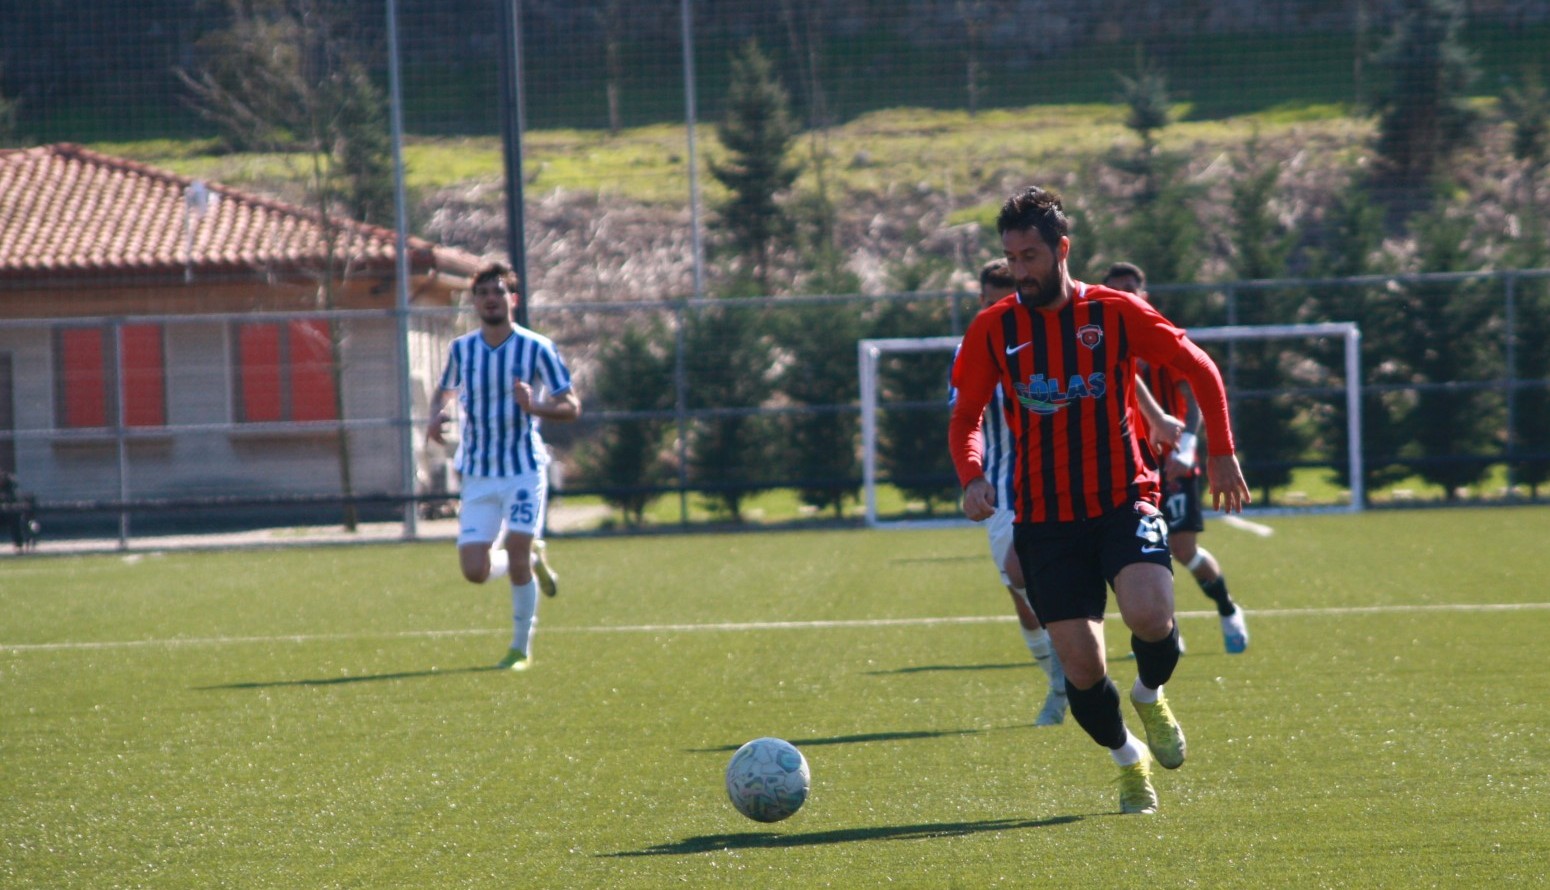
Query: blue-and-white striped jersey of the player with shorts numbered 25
498, 438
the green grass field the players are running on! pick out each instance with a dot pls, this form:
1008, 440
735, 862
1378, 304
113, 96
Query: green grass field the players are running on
326, 719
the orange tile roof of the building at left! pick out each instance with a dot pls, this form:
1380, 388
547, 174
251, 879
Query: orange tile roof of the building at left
71, 212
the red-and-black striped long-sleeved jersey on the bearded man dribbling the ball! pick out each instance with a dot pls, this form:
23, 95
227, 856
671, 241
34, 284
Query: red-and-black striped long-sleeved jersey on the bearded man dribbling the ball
1070, 374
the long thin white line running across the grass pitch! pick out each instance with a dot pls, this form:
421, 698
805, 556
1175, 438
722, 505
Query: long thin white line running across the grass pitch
732, 627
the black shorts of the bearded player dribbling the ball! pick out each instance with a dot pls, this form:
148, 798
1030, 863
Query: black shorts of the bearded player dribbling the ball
1070, 567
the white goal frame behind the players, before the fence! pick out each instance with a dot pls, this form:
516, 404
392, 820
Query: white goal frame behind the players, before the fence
869, 354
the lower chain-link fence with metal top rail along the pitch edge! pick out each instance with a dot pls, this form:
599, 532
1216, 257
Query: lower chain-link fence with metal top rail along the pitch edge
708, 404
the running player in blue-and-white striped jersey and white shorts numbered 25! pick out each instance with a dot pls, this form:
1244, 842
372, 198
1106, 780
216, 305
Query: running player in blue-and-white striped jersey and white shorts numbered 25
497, 374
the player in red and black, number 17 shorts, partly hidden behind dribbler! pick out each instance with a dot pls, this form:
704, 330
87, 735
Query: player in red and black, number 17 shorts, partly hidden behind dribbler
1182, 478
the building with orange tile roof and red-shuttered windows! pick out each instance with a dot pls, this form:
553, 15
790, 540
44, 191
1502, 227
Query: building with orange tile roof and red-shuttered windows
168, 340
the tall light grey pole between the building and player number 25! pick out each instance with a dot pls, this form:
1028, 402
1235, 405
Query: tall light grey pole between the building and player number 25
402, 274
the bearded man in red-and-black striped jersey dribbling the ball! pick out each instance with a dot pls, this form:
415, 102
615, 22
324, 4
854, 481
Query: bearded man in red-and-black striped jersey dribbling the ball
1086, 488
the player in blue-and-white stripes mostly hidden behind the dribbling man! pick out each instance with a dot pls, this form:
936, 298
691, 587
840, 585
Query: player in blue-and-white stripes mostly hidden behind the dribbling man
997, 283
